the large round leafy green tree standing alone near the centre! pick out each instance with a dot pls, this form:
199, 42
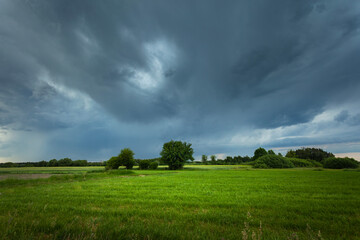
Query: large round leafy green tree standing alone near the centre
176, 153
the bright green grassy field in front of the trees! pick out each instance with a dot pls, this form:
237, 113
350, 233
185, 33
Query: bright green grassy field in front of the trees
207, 202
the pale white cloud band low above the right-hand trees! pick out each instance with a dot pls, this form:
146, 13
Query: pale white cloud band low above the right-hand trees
323, 128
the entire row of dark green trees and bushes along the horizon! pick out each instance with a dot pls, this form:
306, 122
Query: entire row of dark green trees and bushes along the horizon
176, 153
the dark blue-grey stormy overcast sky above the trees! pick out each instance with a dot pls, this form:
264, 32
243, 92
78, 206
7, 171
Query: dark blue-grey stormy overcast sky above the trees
84, 79
